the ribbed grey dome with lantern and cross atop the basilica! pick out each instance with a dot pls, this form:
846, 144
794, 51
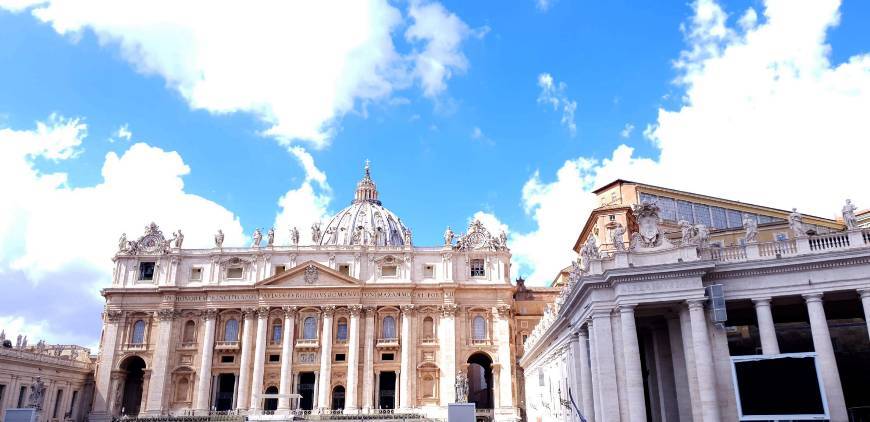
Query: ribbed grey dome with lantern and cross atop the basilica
366, 221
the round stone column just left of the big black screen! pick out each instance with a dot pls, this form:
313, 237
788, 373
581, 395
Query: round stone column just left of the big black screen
705, 369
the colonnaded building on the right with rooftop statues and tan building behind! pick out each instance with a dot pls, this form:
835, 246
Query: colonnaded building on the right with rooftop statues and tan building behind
686, 307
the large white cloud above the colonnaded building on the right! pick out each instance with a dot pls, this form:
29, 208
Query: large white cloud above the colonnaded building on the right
766, 118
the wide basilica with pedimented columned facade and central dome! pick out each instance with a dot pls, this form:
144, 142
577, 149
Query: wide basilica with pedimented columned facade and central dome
356, 319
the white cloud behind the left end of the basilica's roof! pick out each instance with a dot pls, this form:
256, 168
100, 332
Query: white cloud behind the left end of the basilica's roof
55, 240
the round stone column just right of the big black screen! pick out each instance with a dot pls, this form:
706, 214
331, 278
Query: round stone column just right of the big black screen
825, 357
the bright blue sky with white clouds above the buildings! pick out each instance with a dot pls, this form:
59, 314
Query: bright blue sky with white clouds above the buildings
464, 109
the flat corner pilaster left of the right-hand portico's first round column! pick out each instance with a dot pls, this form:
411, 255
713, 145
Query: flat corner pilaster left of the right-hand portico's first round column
608, 390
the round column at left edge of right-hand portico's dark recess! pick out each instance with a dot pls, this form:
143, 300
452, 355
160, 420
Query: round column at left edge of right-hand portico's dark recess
633, 371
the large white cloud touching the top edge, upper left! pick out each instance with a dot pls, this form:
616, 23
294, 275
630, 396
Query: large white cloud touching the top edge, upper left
298, 66
